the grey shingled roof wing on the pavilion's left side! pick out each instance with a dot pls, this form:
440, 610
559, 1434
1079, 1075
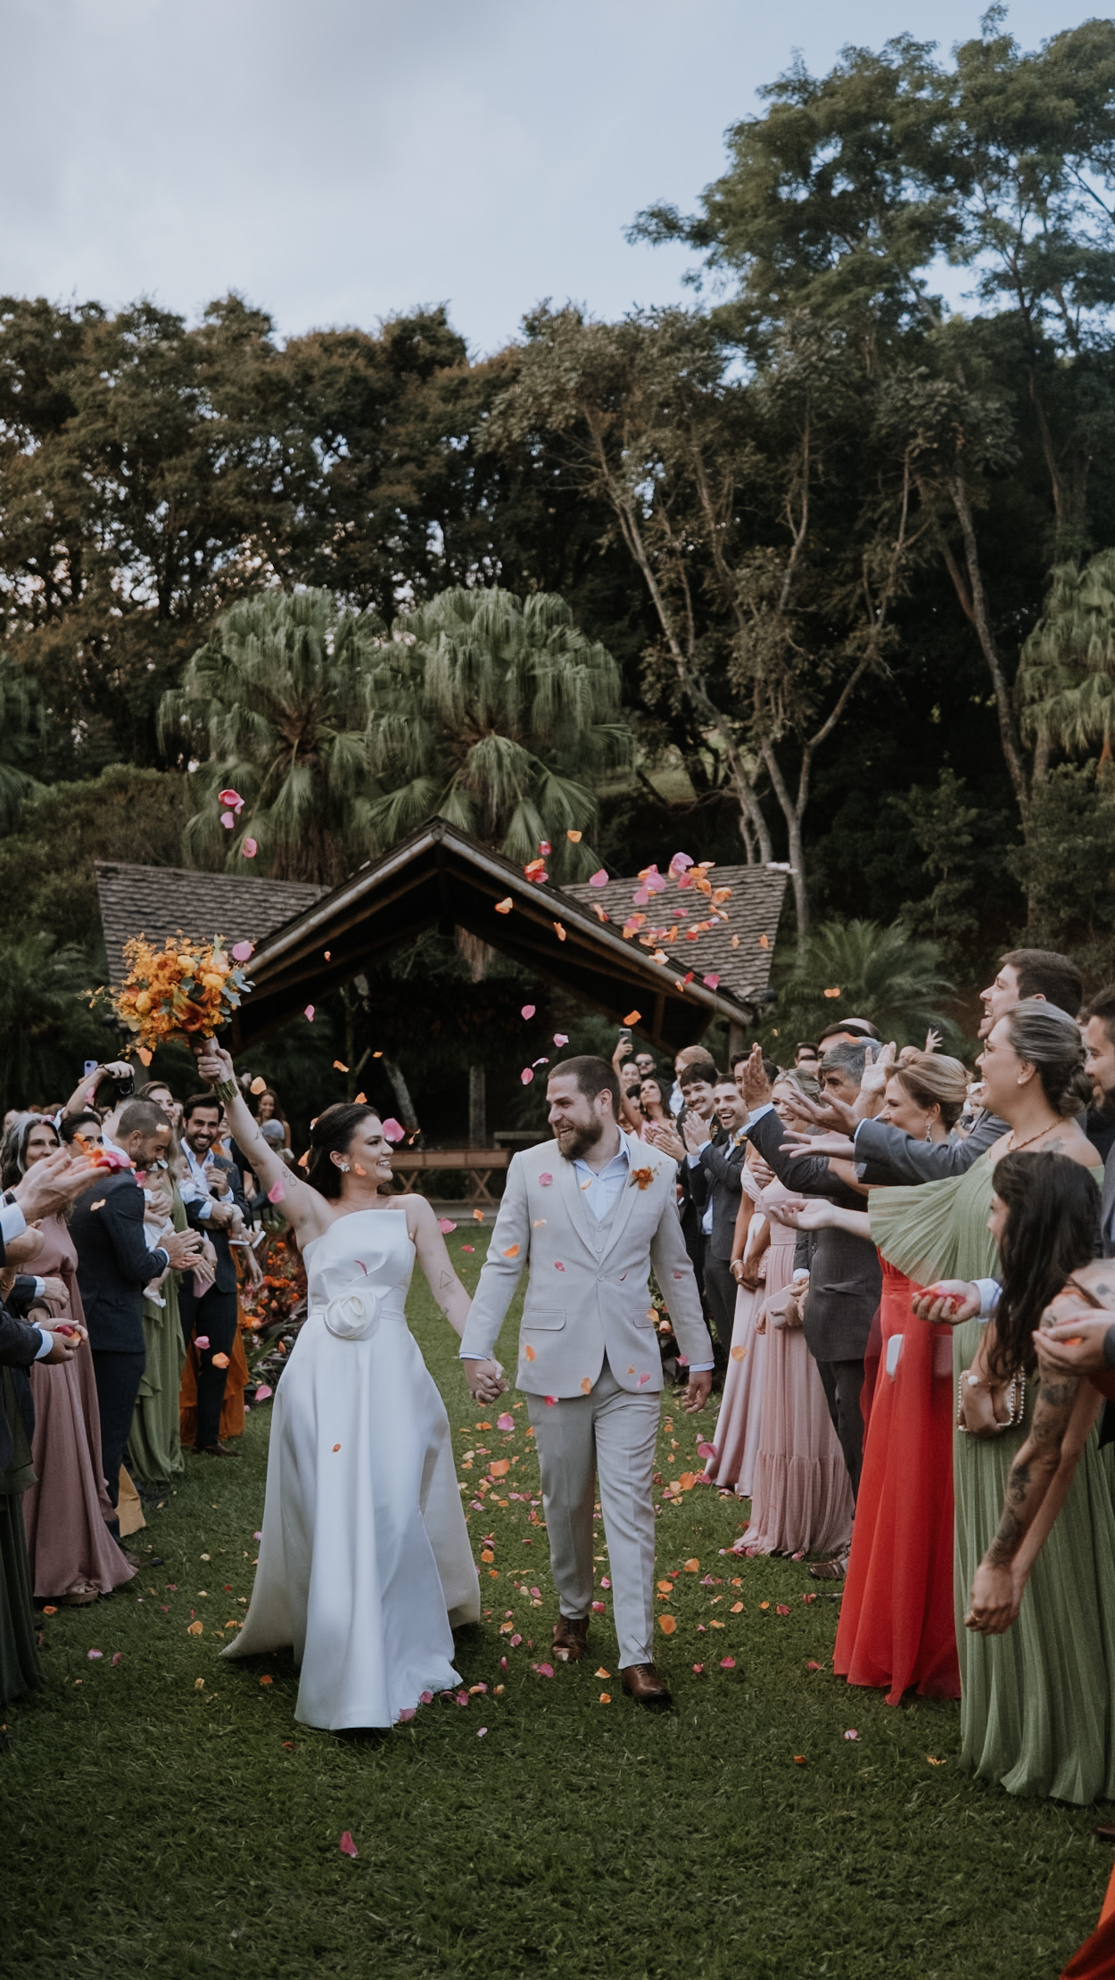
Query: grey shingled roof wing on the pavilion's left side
159, 902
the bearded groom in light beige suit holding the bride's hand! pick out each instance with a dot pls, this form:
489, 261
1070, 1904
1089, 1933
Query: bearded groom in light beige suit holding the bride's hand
591, 1213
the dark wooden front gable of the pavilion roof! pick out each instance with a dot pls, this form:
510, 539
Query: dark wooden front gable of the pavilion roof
443, 878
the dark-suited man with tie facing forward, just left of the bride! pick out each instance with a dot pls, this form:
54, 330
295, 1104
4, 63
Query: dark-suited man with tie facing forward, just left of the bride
213, 1197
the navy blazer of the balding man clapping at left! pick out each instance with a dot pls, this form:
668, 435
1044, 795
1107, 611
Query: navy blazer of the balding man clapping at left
114, 1262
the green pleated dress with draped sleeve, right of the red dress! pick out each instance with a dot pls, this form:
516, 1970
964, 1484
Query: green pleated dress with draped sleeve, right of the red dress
1039, 1704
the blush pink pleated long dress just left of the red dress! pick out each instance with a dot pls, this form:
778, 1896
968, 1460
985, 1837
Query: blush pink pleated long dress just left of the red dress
801, 1496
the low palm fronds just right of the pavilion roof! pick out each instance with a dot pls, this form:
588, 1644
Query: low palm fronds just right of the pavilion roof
861, 969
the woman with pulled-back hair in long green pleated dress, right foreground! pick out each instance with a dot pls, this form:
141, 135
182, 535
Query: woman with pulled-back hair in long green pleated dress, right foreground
1033, 1070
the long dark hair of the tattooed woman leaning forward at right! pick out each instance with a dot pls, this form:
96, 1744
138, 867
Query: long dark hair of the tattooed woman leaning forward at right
1053, 1219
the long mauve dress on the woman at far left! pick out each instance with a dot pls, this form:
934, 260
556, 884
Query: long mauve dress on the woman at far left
68, 1506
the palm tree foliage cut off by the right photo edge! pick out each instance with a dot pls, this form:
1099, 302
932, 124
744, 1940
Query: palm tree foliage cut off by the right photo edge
1068, 662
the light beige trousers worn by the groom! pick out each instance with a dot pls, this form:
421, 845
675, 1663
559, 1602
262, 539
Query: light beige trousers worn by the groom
607, 1436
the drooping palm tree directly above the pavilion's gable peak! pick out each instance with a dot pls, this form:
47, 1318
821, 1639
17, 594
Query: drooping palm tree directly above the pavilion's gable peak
502, 718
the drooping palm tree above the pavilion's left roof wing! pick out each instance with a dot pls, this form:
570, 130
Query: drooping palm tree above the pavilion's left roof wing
274, 708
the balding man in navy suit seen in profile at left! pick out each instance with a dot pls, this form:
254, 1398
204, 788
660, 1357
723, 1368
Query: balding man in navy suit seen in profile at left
114, 1266
